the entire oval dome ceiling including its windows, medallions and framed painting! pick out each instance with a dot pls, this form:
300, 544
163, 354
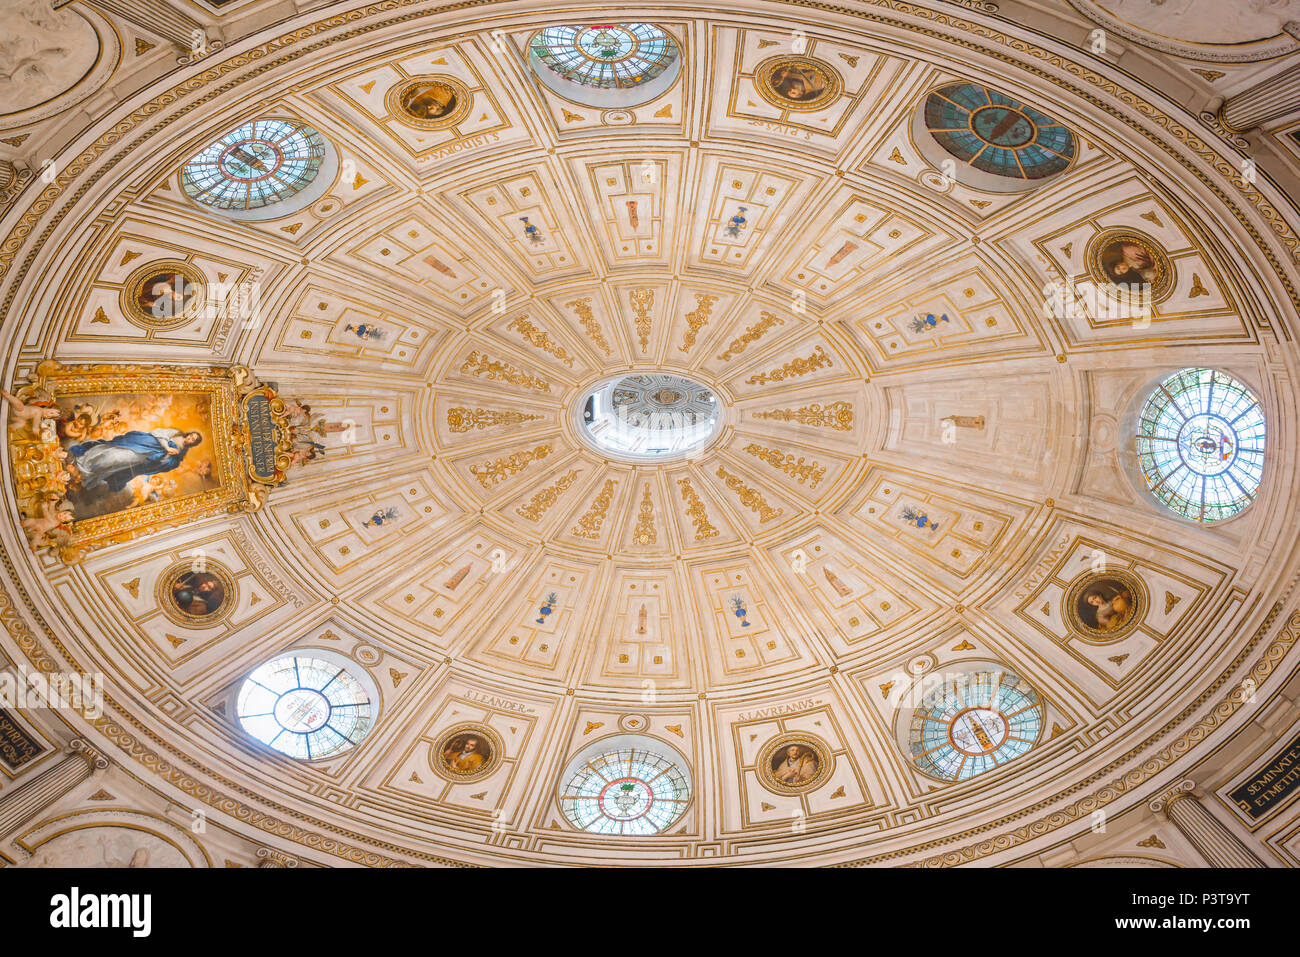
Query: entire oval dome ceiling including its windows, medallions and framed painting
701, 436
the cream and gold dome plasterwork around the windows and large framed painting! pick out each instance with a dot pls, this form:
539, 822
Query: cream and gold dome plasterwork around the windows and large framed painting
916, 456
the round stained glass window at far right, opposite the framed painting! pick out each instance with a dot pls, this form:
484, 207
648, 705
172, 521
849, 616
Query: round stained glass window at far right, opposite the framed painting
1201, 444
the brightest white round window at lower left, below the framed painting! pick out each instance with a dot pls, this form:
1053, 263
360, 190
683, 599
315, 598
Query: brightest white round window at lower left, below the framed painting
306, 707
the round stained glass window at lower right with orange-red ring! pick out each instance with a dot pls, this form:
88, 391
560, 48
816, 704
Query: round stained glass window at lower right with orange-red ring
974, 724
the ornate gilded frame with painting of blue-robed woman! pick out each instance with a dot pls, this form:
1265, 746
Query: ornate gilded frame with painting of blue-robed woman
83, 478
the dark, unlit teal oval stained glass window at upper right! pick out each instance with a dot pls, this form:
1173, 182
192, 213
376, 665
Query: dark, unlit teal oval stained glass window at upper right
999, 135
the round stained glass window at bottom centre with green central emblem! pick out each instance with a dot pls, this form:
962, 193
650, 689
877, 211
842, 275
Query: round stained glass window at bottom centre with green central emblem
626, 791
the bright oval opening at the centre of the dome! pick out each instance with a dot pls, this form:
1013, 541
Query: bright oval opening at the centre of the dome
651, 417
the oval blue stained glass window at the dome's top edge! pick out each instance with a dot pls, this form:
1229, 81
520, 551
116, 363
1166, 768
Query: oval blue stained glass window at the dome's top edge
609, 57
